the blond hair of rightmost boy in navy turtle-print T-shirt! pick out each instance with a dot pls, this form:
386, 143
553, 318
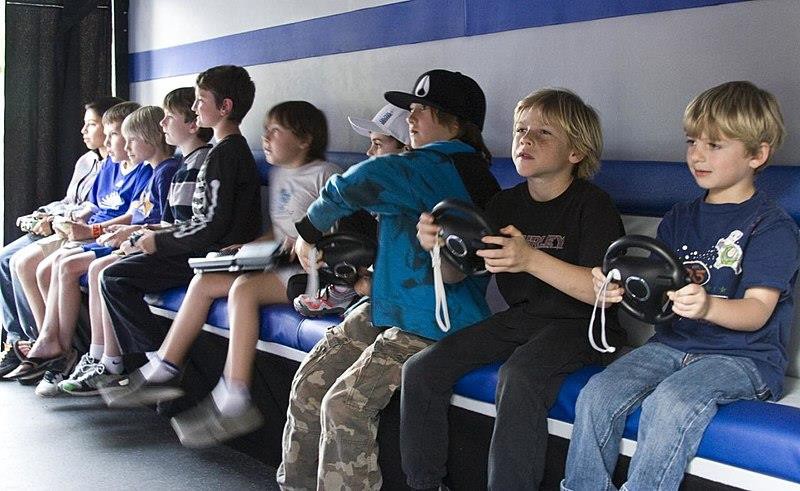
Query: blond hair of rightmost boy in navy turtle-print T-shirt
739, 111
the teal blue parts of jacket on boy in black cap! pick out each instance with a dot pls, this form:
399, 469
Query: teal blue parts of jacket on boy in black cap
399, 188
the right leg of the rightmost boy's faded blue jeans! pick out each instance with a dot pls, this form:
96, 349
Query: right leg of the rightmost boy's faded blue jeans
676, 414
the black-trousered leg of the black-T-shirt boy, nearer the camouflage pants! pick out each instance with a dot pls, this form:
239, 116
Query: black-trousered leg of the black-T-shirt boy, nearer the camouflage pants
427, 385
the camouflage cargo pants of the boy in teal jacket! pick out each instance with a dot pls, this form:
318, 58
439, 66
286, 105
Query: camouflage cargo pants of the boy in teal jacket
329, 441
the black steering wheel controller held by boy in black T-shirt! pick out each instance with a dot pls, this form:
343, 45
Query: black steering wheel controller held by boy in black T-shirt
462, 227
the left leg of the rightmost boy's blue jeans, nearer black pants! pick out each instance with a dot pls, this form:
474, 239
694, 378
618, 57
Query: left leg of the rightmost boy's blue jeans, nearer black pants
604, 404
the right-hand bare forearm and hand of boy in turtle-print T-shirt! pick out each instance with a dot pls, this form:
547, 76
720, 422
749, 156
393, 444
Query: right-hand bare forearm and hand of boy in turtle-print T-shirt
744, 314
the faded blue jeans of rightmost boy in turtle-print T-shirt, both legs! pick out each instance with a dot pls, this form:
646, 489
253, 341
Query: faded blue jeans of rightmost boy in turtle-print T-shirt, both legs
679, 394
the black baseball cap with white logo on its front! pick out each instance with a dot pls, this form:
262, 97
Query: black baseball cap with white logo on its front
452, 92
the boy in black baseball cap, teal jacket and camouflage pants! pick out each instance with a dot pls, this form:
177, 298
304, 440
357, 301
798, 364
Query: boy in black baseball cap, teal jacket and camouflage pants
356, 368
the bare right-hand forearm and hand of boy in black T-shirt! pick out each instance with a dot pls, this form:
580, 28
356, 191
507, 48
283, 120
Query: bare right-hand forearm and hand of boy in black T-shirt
516, 256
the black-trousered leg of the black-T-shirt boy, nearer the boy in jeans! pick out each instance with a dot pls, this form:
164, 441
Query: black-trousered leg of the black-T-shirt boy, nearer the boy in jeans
528, 384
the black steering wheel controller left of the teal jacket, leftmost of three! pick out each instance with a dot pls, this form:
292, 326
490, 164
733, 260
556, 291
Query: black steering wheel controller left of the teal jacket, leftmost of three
344, 254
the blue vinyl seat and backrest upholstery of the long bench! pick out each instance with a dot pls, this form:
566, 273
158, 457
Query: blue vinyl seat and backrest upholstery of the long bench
770, 432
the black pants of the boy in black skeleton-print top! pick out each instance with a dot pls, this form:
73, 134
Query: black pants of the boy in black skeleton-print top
124, 285
